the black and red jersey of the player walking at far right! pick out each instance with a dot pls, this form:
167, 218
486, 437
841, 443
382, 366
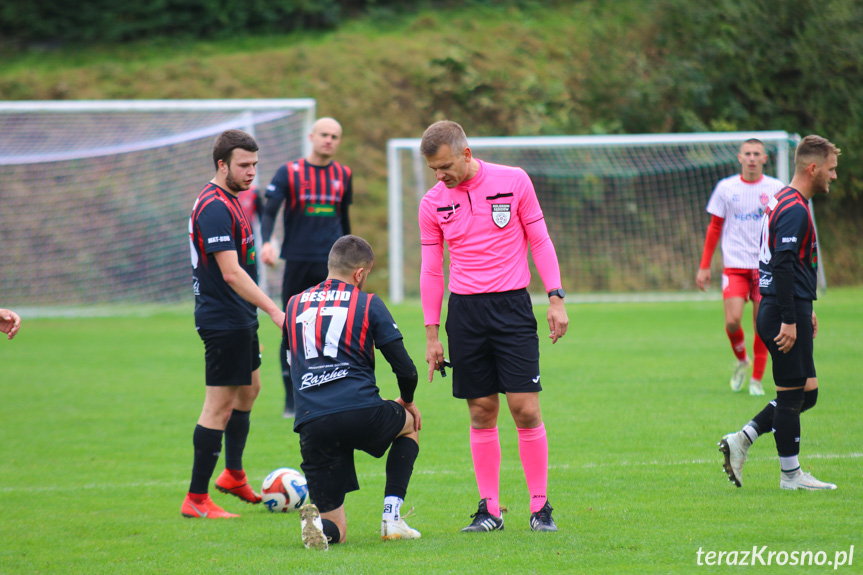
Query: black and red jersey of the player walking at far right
787, 226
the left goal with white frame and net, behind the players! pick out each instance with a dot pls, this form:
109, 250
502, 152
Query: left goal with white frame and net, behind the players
96, 195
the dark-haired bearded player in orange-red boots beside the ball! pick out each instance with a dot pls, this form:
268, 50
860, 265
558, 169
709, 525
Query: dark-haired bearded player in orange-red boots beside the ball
226, 301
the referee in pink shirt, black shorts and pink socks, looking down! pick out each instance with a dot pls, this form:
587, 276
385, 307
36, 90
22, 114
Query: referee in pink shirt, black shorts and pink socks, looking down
487, 214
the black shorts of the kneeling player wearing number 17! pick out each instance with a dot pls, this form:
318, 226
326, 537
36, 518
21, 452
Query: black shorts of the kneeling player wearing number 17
327, 444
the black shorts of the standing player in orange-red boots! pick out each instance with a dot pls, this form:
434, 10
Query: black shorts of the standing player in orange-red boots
230, 355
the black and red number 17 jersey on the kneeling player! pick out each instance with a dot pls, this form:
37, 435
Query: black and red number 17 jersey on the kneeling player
330, 334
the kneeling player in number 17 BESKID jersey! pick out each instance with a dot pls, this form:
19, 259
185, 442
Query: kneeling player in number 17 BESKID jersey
331, 330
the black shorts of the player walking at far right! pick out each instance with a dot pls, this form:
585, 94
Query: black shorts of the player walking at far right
798, 363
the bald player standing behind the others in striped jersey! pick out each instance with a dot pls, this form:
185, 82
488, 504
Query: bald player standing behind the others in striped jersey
316, 192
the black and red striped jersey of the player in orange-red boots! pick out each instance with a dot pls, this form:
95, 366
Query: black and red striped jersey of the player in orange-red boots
218, 223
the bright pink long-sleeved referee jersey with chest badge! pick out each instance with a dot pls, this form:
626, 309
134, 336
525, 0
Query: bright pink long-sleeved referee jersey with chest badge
487, 223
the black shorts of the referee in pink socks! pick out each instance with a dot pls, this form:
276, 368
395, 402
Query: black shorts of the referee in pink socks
493, 344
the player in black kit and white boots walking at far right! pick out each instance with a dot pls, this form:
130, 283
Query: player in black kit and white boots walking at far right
786, 321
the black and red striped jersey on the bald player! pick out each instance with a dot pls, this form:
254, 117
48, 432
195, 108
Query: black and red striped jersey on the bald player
315, 200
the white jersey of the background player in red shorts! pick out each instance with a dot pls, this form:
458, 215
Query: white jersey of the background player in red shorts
741, 204
